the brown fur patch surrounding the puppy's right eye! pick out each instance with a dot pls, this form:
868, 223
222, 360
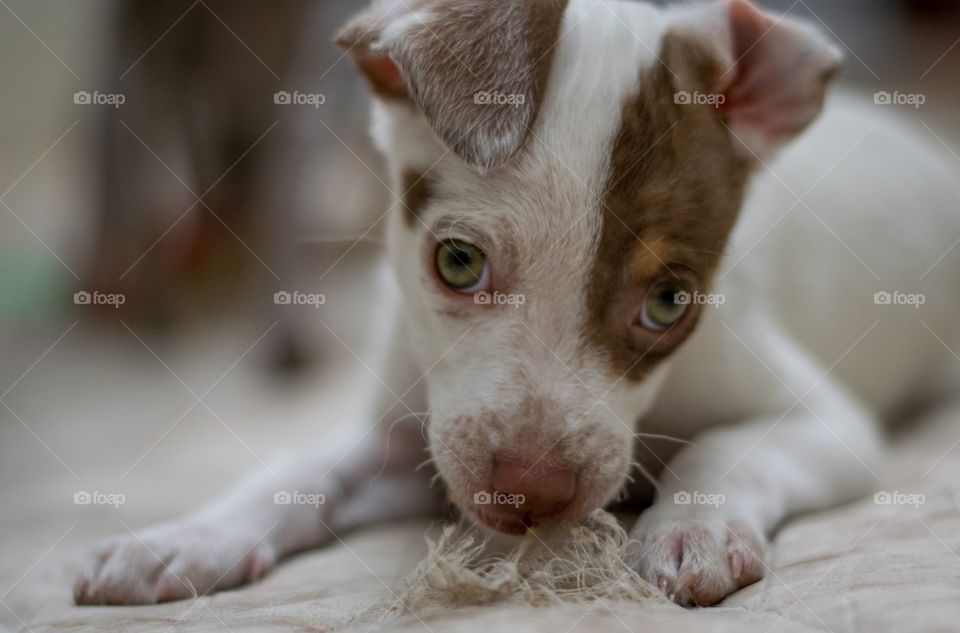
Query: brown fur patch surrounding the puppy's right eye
675, 189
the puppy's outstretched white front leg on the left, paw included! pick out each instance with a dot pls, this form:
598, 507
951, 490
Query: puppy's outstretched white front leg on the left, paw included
306, 505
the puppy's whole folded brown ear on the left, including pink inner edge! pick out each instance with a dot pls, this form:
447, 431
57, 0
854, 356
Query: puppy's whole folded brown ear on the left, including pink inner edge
476, 70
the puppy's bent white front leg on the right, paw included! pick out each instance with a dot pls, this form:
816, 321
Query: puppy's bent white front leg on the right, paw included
721, 497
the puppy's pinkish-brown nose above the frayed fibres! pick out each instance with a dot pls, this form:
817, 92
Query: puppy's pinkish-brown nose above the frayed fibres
538, 490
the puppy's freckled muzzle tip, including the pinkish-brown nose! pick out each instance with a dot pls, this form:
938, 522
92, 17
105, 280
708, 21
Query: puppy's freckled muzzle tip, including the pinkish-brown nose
519, 471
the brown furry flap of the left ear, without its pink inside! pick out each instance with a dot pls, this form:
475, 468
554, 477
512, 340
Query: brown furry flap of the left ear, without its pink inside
493, 48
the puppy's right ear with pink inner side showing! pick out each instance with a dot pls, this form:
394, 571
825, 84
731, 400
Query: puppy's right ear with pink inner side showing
769, 73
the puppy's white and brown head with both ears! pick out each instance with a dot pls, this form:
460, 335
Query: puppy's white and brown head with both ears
567, 174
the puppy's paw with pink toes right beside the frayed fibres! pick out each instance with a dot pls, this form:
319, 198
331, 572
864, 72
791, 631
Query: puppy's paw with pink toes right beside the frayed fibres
698, 561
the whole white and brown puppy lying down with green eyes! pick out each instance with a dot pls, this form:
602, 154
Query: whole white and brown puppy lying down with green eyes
611, 283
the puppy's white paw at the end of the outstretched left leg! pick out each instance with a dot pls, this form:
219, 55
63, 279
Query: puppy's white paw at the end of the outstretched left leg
170, 562
